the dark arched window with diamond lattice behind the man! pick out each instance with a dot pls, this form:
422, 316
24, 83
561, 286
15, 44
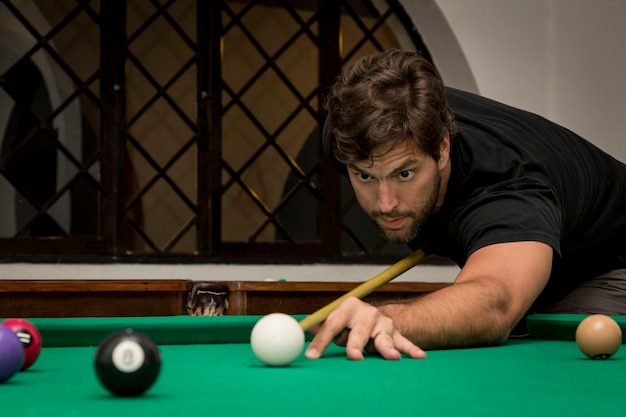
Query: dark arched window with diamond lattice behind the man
180, 129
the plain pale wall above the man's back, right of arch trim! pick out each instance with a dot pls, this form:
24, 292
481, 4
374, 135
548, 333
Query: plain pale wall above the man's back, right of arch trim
563, 59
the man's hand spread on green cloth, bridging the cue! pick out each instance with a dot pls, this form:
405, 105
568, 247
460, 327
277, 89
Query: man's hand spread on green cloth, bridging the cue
360, 326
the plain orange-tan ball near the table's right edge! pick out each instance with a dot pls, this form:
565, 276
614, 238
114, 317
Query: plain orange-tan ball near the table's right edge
598, 336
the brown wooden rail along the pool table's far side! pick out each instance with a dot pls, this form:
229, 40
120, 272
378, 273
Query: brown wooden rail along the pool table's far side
130, 298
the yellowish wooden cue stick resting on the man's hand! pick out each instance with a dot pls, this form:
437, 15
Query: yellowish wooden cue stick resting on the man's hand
365, 288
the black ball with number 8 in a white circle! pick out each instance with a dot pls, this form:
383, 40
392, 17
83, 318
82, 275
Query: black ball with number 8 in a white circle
127, 362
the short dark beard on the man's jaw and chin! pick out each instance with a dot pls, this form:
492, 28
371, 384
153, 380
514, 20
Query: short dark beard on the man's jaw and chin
418, 219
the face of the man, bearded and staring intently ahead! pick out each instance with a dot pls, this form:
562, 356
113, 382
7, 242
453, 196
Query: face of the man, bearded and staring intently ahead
401, 189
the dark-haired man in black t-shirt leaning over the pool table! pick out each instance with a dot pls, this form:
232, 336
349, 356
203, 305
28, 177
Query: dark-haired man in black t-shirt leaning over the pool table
534, 215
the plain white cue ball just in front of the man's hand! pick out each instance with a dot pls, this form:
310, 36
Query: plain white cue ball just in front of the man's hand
277, 339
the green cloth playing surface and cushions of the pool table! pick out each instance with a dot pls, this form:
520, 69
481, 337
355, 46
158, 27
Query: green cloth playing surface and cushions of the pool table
209, 370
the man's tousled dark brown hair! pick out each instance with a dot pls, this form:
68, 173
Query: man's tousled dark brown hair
383, 99
